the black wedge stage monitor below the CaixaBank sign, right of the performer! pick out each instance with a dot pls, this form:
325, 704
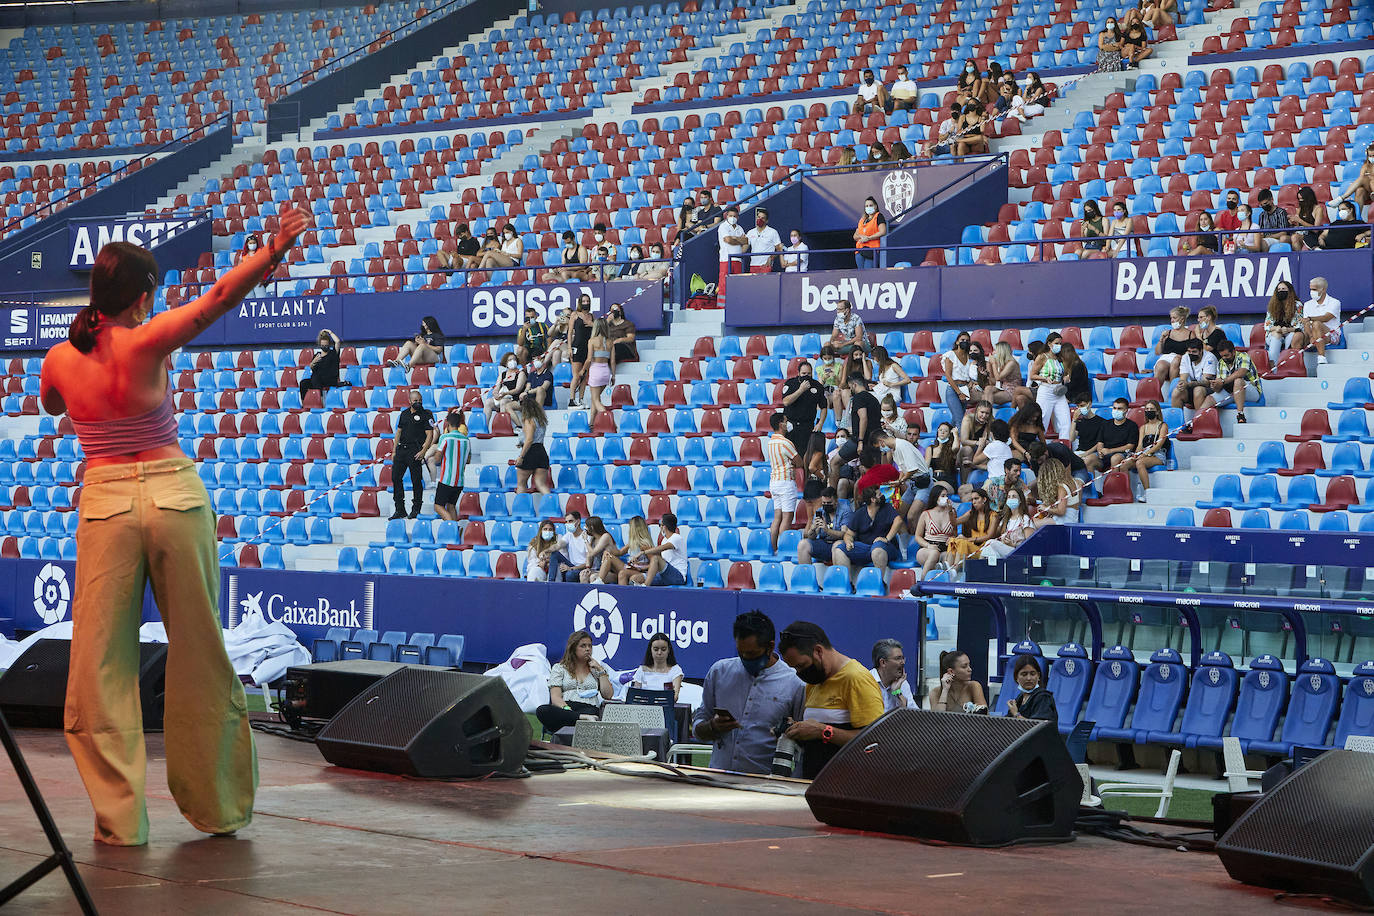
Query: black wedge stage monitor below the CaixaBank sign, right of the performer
431, 722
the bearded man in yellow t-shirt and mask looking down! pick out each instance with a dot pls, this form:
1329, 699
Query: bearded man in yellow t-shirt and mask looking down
842, 696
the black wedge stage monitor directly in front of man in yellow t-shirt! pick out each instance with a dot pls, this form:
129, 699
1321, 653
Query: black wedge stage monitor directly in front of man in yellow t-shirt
967, 779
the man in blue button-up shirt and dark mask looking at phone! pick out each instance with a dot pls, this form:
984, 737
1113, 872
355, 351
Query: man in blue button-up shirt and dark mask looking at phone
745, 698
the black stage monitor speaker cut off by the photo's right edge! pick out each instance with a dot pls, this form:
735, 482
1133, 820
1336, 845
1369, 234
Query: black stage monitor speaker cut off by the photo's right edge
1314, 833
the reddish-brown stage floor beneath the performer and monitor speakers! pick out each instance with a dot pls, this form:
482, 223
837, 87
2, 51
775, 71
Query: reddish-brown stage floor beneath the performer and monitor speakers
336, 841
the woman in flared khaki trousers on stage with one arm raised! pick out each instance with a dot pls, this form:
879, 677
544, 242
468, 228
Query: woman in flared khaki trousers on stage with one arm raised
146, 516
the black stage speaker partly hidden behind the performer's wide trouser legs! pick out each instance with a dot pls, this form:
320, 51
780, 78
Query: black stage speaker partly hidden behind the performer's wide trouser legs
34, 691
